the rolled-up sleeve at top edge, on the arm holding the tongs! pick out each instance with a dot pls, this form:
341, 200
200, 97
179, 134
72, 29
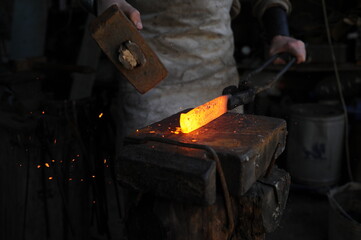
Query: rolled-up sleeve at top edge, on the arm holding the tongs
260, 6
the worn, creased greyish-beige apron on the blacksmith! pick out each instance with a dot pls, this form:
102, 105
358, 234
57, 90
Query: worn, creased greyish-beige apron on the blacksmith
194, 40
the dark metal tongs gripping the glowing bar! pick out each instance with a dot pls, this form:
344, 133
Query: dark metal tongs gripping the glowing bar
244, 94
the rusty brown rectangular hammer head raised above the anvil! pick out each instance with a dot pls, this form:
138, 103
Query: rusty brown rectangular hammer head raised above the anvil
111, 30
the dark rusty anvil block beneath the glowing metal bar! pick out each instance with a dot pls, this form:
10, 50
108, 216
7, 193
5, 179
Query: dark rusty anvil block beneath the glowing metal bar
245, 145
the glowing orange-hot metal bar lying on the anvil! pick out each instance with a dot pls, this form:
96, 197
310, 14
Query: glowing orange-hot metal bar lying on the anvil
203, 114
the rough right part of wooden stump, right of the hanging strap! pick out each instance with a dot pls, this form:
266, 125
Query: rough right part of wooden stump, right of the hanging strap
260, 210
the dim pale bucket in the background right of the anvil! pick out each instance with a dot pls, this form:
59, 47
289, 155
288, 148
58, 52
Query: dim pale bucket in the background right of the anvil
315, 144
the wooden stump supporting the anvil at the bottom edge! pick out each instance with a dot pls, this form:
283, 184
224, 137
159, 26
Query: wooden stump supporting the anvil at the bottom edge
255, 213
